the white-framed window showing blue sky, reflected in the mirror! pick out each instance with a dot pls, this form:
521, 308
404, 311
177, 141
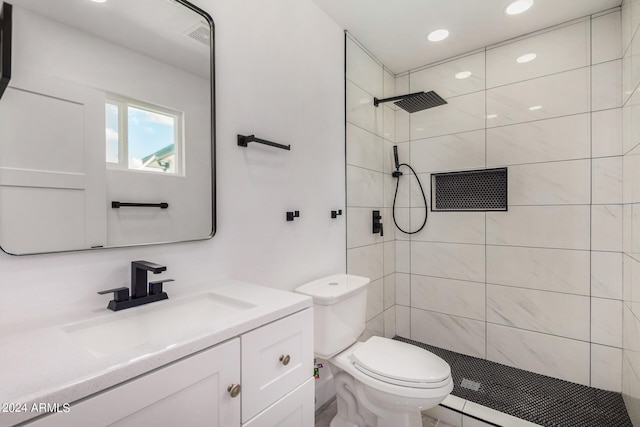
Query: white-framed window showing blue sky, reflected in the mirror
143, 137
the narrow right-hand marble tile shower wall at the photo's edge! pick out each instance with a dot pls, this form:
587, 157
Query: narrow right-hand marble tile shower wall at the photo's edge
630, 208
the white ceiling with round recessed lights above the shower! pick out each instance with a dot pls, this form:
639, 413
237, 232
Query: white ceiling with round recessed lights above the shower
395, 31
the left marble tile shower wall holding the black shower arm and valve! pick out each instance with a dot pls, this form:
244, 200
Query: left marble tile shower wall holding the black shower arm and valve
369, 140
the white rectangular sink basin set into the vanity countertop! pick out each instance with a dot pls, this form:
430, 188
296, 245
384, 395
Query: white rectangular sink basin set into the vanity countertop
158, 323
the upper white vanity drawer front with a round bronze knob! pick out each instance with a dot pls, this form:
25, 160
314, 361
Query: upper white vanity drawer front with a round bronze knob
265, 377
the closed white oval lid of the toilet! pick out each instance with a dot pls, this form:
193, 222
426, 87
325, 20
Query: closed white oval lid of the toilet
400, 363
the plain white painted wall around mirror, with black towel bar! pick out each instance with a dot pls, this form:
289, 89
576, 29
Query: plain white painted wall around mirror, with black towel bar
279, 75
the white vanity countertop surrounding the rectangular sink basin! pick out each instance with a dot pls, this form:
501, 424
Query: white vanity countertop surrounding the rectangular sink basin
43, 364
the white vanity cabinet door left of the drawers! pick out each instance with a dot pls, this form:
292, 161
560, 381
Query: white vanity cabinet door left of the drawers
190, 392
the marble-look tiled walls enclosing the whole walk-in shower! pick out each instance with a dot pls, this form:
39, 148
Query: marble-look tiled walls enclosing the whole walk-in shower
547, 286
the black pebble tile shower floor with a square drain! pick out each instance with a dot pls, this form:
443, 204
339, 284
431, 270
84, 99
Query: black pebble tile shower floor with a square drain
533, 397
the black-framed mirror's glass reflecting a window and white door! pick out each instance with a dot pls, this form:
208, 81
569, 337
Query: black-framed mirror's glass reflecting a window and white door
106, 127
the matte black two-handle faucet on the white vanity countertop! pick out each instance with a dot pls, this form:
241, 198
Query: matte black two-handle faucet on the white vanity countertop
142, 292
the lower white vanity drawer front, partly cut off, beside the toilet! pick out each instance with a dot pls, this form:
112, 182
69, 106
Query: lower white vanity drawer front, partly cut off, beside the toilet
296, 409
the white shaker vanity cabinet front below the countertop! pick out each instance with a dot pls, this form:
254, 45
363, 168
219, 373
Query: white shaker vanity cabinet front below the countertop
273, 364
